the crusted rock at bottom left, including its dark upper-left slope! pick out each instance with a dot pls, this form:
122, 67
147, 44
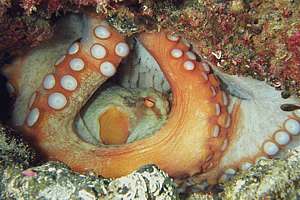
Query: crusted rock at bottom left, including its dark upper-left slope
54, 180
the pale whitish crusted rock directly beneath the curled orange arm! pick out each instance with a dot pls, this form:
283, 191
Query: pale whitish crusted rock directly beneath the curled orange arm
56, 181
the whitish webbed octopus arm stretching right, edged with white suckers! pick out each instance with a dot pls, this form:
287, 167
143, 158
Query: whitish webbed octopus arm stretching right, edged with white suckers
261, 128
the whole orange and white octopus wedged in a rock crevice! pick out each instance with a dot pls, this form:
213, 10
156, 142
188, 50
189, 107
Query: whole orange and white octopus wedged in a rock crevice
174, 109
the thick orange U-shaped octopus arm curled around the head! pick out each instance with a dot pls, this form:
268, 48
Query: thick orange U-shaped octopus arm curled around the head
190, 142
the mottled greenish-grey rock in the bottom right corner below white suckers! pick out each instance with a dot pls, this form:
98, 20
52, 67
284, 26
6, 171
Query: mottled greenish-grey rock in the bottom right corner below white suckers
268, 179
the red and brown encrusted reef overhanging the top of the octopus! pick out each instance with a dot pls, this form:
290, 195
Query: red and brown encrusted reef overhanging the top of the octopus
257, 38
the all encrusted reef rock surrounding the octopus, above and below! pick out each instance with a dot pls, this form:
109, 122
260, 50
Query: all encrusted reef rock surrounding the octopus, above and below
251, 38
